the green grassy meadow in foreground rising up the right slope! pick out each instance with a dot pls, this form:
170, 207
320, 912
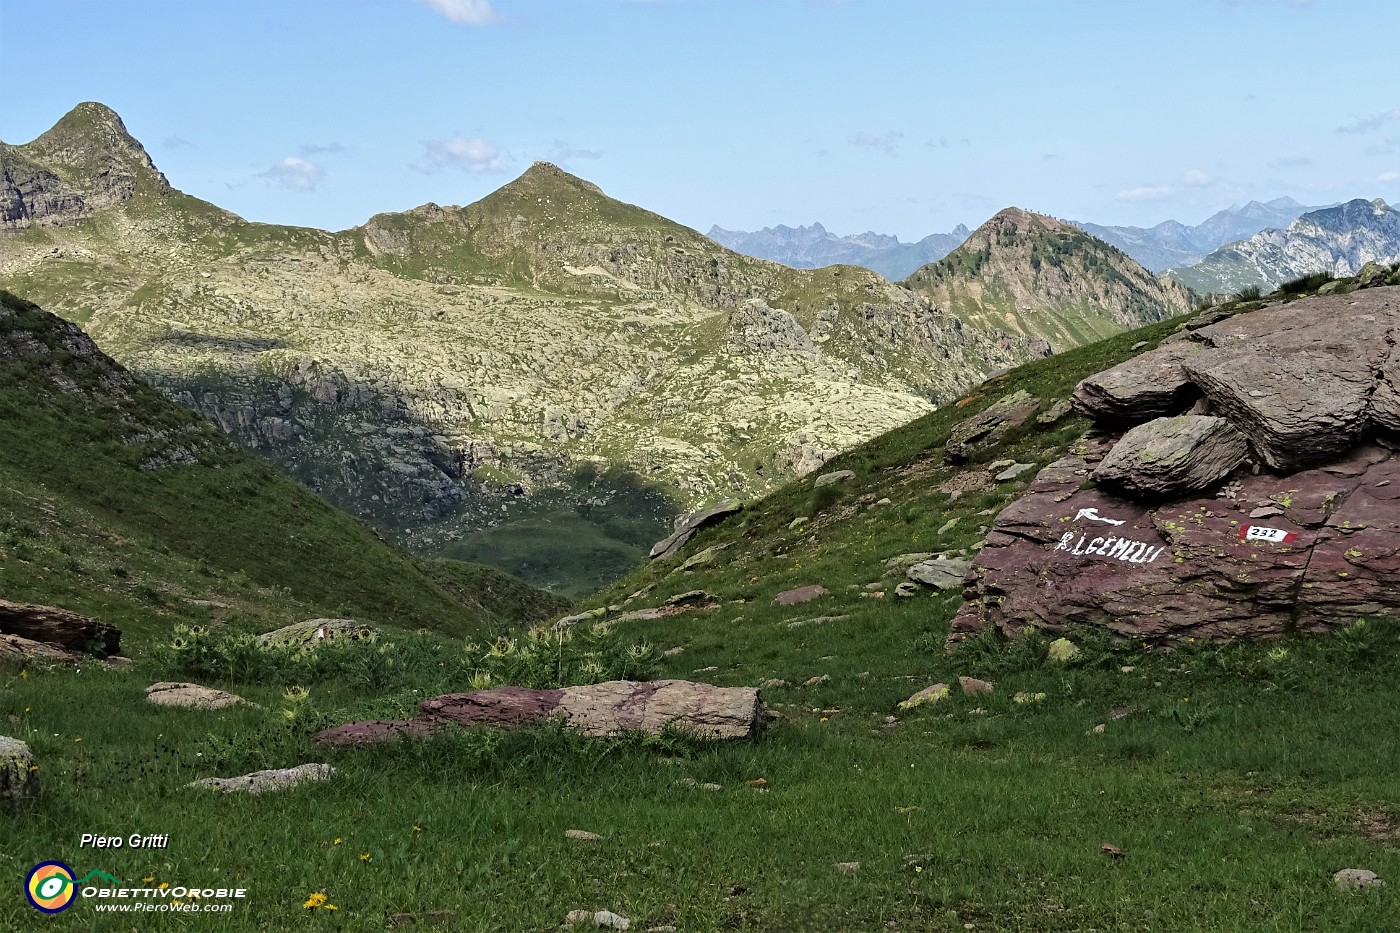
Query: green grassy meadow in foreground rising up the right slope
1234, 780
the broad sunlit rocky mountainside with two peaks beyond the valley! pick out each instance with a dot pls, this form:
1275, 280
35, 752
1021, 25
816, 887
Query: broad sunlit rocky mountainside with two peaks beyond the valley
450, 372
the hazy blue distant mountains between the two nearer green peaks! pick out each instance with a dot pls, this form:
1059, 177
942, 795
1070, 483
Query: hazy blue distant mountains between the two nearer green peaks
815, 247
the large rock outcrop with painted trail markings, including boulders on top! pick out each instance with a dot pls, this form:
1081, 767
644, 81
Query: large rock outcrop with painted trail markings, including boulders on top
1303, 537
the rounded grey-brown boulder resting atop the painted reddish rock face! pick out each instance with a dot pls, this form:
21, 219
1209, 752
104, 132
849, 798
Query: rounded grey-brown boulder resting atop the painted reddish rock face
1172, 456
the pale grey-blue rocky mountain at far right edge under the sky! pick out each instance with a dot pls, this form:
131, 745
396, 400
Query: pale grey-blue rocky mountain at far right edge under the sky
1338, 242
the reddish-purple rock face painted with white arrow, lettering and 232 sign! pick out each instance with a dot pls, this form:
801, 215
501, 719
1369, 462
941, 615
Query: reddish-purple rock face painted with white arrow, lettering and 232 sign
1193, 567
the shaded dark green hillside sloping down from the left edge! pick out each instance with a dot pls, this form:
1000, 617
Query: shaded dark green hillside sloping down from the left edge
118, 504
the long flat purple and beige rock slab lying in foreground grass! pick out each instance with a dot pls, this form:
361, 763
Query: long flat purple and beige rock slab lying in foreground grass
597, 710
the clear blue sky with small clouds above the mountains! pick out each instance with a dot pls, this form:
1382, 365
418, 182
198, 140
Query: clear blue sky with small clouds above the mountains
894, 116
